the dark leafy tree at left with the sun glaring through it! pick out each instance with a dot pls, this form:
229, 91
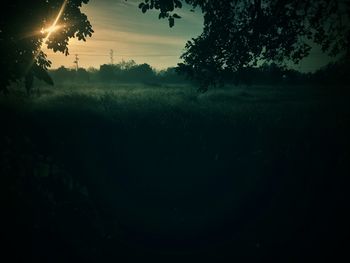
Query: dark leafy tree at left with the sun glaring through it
25, 26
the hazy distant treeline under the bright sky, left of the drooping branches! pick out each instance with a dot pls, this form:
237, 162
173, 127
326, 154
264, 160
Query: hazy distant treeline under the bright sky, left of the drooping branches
123, 72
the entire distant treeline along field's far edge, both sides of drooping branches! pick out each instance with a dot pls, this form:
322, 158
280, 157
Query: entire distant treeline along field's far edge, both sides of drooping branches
266, 74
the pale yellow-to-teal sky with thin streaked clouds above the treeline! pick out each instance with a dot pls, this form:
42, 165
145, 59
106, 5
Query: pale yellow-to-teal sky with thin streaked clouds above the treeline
122, 27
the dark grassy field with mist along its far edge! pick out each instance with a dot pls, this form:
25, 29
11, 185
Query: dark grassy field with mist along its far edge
104, 172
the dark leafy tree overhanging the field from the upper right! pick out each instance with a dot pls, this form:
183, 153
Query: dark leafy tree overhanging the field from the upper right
240, 33
